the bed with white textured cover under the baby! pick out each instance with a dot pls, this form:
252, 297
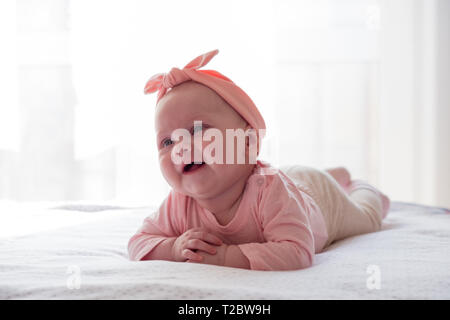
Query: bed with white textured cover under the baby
79, 251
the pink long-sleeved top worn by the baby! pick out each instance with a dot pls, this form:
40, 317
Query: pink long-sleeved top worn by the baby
277, 226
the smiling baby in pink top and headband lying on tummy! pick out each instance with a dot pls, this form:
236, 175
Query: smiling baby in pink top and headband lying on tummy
247, 214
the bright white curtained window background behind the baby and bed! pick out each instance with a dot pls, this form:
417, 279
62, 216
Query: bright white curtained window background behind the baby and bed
359, 83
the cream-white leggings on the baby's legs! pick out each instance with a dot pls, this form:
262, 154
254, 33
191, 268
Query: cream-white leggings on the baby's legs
345, 215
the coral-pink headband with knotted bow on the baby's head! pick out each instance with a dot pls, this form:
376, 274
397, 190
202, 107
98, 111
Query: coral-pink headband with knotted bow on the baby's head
223, 86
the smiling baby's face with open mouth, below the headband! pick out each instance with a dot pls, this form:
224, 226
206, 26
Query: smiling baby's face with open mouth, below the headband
178, 109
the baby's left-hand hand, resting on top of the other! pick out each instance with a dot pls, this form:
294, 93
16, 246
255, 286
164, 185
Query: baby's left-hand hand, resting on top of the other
186, 246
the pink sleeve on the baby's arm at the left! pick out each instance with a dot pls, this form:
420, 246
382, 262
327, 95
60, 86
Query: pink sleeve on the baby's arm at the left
162, 224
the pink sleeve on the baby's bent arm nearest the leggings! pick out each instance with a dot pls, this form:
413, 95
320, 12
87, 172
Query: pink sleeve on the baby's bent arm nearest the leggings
289, 239
